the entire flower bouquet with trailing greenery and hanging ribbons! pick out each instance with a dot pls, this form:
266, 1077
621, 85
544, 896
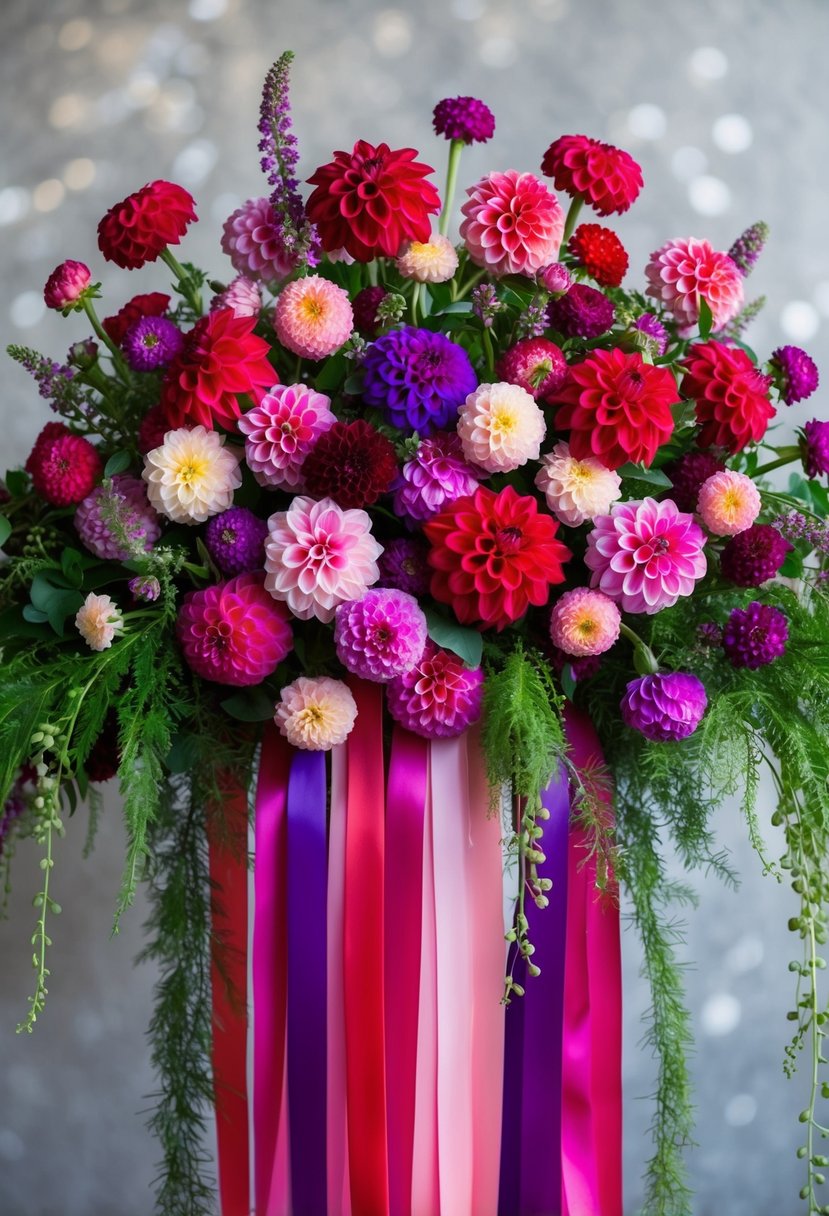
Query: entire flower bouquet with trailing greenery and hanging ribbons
506, 489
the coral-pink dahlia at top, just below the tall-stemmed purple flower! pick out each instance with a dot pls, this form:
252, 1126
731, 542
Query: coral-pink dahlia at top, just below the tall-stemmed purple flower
514, 226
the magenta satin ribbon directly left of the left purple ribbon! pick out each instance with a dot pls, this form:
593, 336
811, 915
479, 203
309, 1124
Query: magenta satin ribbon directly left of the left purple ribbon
270, 970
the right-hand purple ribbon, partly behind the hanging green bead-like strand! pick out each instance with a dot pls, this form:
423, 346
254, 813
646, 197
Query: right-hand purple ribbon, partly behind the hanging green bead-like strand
533, 1059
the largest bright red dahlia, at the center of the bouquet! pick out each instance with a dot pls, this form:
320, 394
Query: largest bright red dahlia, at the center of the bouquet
493, 556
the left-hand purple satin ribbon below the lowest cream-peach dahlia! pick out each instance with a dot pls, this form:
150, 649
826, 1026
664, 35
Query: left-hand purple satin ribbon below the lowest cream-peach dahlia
308, 881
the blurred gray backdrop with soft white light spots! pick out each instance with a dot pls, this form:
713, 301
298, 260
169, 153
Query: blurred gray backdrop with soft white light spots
725, 104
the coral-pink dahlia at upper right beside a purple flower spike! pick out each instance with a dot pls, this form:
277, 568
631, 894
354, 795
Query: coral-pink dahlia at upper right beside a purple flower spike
687, 271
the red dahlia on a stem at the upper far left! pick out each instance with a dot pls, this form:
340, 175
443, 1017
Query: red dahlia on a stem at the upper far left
137, 230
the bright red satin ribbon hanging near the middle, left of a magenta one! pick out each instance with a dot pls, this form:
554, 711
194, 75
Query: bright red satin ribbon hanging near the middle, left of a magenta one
364, 956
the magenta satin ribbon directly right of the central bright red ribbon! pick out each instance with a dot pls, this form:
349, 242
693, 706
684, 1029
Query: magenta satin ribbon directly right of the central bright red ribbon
404, 886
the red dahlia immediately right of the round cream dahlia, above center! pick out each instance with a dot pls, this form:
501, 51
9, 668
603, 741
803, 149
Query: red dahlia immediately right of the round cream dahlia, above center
617, 408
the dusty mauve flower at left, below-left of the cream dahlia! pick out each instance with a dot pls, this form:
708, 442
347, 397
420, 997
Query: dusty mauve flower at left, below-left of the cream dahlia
116, 521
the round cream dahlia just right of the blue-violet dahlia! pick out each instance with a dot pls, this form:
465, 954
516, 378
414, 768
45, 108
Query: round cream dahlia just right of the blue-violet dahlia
501, 427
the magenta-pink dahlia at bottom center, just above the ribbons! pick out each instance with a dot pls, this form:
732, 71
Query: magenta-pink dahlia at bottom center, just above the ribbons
439, 699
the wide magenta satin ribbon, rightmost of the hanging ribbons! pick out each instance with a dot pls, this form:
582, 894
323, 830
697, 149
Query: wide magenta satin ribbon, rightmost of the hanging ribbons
593, 1111
